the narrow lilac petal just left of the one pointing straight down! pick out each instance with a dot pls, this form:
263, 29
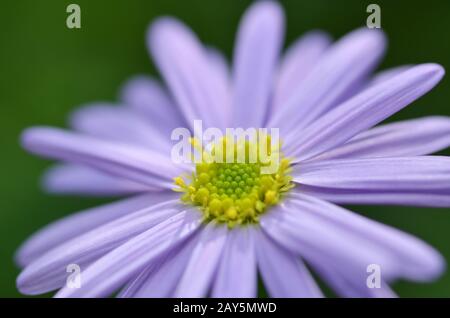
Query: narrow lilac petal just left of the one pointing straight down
198, 275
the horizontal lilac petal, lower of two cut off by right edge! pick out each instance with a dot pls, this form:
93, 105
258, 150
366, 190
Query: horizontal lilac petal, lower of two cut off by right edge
380, 180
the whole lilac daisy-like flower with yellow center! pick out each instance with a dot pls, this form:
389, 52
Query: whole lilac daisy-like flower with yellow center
227, 223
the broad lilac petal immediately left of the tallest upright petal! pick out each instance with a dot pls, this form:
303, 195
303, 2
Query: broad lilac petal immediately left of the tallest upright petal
186, 67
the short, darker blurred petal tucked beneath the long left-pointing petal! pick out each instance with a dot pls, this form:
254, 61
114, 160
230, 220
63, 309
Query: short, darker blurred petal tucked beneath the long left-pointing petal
80, 180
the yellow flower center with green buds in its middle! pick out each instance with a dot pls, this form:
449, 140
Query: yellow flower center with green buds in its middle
236, 193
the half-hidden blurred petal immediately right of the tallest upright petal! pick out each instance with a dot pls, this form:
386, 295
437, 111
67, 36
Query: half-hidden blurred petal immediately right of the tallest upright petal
297, 62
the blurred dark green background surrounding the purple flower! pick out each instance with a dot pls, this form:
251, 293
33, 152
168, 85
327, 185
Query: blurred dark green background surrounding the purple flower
47, 70
